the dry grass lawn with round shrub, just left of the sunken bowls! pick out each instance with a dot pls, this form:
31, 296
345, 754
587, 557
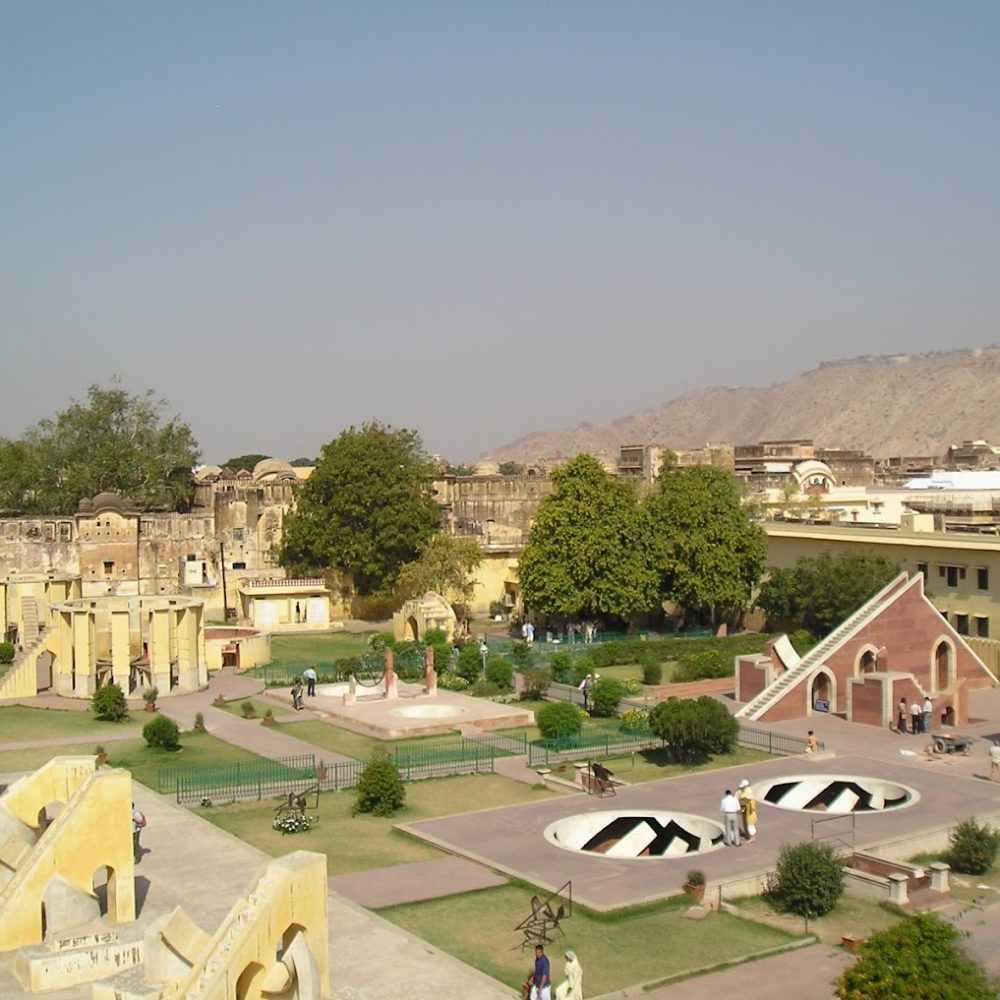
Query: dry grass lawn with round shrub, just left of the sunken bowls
358, 843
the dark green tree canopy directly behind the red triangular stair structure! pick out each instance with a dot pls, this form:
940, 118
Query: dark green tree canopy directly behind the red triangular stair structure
819, 593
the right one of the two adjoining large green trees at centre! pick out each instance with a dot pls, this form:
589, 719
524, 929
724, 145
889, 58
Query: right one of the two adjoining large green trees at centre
710, 553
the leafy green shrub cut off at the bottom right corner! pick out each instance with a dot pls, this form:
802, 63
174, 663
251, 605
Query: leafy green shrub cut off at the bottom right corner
919, 957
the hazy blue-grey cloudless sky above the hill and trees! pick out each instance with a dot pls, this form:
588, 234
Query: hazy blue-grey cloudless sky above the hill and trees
481, 219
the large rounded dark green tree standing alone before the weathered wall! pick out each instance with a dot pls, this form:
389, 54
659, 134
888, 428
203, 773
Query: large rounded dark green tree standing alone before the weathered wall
366, 510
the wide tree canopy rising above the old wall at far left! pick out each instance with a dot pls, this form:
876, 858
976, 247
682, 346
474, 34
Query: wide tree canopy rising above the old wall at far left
112, 441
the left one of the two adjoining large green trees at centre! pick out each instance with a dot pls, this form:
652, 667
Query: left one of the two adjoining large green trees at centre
589, 551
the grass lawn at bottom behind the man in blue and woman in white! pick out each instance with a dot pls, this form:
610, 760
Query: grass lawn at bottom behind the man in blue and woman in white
615, 952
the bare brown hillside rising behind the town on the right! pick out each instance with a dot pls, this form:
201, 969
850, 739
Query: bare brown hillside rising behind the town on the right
896, 405
